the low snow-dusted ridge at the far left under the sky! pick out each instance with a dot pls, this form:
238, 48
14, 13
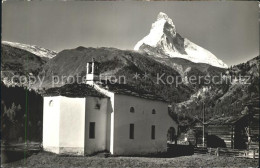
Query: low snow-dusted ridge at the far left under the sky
39, 51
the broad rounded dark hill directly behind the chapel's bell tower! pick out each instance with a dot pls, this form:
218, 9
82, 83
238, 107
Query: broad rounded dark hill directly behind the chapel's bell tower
115, 62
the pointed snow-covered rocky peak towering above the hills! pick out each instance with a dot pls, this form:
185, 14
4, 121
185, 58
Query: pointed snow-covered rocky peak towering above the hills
163, 41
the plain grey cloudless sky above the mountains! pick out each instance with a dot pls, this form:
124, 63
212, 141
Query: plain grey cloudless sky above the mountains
230, 30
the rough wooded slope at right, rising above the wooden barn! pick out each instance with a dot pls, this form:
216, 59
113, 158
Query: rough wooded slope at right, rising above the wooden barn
227, 99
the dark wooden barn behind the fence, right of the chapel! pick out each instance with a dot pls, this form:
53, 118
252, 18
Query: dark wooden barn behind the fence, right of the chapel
235, 132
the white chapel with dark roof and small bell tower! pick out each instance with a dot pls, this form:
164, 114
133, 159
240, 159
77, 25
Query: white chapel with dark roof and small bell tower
81, 119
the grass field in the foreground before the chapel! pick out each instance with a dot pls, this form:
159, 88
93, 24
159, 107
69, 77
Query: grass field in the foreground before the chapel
44, 159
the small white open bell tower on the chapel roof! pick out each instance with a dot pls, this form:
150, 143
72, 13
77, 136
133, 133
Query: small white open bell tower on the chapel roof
92, 72
